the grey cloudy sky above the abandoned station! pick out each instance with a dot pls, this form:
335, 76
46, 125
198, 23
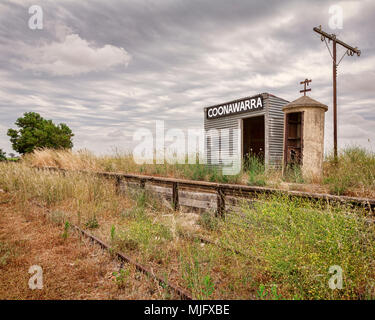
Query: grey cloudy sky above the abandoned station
107, 68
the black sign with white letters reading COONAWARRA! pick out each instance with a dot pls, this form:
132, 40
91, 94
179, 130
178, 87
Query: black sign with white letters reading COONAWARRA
235, 107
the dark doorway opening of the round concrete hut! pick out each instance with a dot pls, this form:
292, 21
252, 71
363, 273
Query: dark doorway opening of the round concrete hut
293, 139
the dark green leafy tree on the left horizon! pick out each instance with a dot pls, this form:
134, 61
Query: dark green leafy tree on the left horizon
36, 132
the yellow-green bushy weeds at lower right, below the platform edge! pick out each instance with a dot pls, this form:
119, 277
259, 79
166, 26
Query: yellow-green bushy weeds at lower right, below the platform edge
297, 242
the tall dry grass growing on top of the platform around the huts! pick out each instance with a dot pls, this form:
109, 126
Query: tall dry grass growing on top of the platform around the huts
354, 175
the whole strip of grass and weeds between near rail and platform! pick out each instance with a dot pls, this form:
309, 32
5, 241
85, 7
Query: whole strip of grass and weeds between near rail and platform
273, 248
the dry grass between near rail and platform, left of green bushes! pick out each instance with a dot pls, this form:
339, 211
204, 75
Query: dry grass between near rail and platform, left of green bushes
81, 198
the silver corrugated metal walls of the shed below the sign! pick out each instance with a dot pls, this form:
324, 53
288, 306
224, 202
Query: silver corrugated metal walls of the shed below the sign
274, 123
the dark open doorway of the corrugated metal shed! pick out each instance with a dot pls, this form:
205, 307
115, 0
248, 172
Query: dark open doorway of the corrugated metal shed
253, 137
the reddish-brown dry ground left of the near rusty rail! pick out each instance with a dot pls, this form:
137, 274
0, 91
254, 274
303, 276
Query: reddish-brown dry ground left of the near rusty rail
72, 267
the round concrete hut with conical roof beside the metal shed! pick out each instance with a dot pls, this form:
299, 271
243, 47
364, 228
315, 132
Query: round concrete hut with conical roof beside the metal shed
304, 136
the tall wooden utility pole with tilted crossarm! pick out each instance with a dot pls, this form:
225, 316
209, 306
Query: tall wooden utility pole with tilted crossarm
350, 52
